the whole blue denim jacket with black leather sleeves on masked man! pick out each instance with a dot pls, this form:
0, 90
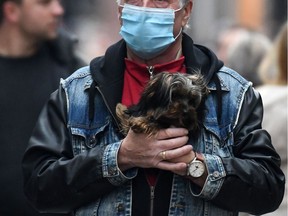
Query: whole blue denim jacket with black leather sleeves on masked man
70, 164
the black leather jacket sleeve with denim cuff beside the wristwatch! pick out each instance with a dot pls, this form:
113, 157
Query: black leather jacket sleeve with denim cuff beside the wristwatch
250, 181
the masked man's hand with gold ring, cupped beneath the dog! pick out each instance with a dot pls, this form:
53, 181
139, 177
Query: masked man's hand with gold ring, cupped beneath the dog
140, 150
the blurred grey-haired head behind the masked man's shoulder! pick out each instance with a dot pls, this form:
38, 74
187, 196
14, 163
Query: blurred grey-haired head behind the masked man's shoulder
243, 49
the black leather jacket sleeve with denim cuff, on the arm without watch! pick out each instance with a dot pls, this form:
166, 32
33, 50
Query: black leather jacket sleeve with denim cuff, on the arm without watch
54, 179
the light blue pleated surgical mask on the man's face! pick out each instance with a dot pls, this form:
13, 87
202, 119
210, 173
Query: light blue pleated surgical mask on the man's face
148, 32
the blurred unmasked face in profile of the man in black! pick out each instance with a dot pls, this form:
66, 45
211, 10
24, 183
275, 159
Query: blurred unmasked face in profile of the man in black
40, 19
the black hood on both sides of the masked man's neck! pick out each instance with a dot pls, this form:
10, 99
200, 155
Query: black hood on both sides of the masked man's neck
109, 74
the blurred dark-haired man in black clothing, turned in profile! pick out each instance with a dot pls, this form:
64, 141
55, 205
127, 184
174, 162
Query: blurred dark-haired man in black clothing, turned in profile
32, 60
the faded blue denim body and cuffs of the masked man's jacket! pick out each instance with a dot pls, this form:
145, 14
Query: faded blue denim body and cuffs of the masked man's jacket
215, 141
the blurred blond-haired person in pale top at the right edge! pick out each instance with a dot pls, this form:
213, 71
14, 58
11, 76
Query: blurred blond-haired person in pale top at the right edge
274, 93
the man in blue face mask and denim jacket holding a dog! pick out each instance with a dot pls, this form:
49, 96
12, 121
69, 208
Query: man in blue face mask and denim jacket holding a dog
78, 161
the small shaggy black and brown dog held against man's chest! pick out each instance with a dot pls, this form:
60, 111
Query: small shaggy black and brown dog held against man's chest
168, 100
